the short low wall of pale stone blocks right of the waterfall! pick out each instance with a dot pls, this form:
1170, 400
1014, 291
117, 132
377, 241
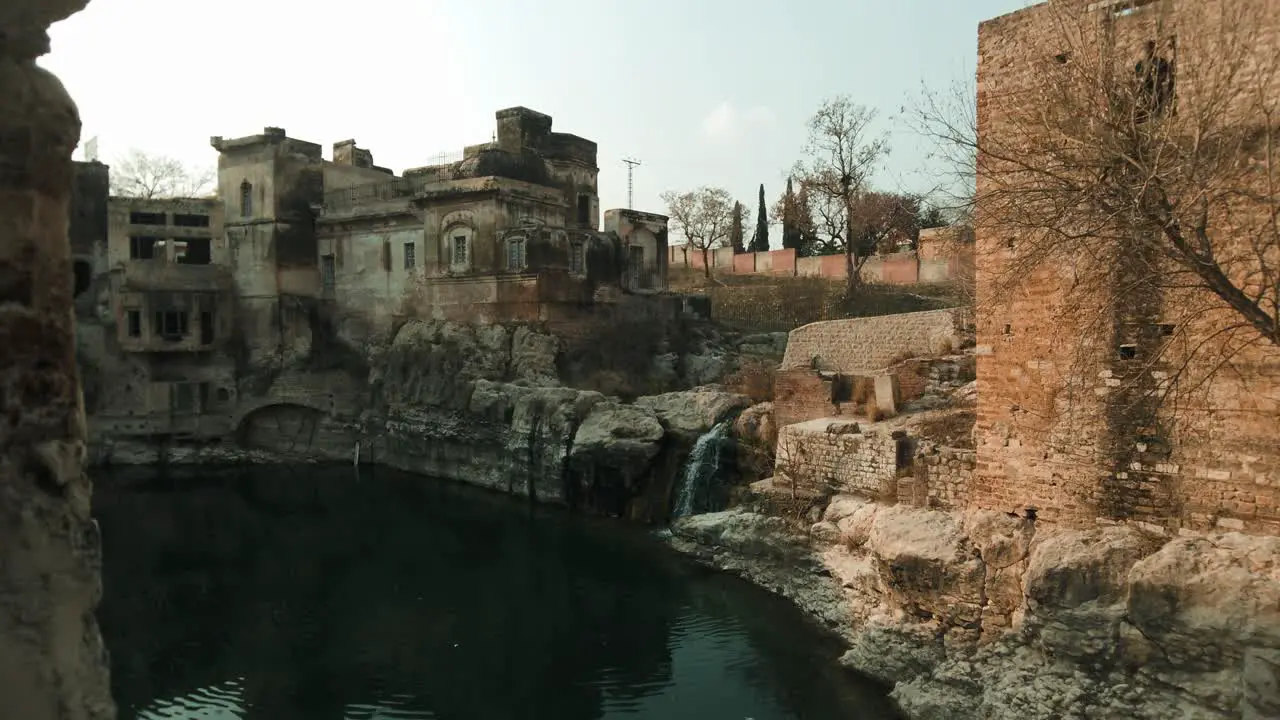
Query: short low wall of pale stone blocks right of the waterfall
824, 457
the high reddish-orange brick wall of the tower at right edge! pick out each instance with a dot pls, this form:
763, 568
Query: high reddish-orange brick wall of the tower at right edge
1053, 422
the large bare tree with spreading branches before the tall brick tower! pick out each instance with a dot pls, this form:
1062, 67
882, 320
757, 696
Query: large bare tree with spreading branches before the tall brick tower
1142, 174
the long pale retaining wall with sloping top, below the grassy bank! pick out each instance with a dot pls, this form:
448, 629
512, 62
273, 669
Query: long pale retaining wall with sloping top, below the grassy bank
870, 344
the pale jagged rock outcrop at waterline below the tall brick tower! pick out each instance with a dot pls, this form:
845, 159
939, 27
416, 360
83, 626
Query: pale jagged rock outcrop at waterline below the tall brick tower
984, 616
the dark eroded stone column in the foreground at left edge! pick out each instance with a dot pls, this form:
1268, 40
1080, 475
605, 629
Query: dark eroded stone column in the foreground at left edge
52, 659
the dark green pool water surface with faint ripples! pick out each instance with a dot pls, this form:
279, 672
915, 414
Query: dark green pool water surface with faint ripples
319, 595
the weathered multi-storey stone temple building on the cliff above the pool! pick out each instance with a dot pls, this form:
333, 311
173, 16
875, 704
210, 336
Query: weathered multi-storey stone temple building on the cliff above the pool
189, 307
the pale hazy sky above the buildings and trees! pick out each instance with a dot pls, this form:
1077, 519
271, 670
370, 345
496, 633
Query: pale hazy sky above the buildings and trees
702, 93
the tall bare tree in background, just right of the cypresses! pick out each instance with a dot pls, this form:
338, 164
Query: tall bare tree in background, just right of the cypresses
840, 157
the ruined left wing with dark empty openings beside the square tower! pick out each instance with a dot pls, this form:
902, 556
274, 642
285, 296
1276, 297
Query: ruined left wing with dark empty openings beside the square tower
157, 313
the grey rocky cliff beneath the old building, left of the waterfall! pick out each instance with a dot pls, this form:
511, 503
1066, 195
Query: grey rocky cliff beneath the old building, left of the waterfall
492, 405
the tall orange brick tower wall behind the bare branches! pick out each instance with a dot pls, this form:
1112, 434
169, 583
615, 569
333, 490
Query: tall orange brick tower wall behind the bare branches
1078, 426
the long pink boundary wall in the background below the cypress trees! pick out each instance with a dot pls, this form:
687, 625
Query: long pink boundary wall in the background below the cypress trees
932, 263
